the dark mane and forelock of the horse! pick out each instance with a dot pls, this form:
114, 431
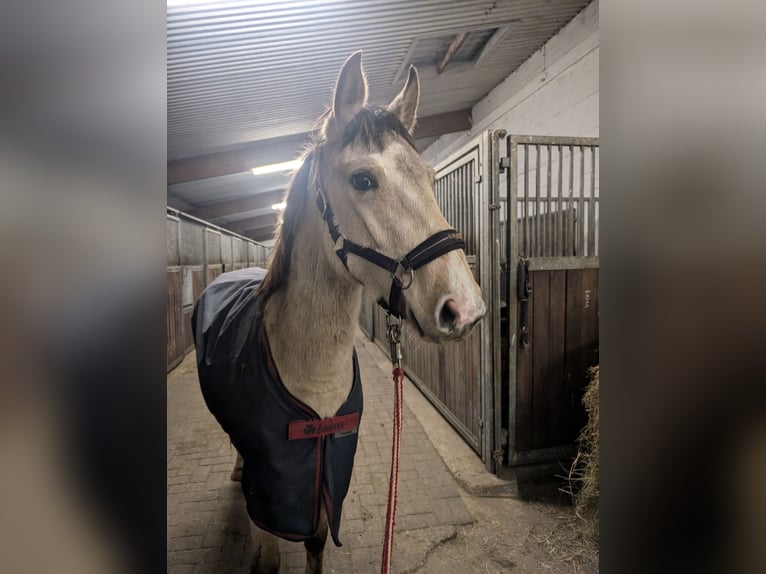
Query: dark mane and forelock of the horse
367, 129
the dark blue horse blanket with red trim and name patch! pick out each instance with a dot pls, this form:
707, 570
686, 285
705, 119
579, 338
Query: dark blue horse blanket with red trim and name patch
294, 461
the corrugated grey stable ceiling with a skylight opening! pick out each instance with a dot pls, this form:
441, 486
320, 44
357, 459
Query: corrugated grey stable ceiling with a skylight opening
240, 72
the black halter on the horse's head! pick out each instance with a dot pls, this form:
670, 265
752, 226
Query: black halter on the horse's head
401, 270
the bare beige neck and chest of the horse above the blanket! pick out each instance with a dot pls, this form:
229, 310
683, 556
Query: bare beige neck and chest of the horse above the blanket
311, 322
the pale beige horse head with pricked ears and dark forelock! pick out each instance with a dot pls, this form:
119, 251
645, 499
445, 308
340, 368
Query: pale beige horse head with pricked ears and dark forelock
381, 195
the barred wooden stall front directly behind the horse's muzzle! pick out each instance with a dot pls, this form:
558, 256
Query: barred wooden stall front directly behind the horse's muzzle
459, 378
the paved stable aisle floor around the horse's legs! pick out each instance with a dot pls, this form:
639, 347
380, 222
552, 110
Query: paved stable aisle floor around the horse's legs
453, 516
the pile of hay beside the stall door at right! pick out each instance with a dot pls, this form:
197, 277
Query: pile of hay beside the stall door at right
584, 472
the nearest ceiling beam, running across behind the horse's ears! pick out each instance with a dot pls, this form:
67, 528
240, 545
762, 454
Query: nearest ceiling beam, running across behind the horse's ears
280, 149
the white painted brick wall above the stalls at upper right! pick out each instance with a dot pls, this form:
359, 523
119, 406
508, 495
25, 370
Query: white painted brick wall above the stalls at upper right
555, 92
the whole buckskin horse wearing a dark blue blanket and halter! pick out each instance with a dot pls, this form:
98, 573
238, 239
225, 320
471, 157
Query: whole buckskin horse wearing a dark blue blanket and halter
360, 218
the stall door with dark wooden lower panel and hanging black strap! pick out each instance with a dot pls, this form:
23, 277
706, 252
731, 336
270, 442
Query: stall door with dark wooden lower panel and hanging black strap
550, 298
